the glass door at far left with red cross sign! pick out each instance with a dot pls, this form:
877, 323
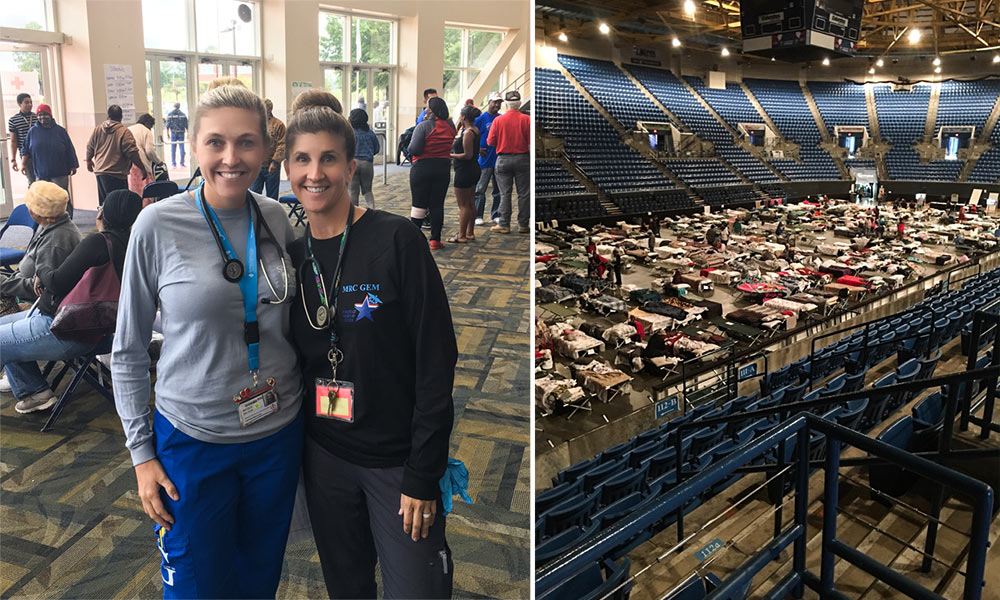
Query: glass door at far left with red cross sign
23, 69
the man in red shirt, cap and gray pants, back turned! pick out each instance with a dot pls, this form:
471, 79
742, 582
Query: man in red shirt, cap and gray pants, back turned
510, 134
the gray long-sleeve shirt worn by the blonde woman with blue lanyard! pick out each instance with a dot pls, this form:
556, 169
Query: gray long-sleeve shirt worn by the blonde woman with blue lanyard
173, 262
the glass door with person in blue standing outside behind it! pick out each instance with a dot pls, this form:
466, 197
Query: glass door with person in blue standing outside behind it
167, 90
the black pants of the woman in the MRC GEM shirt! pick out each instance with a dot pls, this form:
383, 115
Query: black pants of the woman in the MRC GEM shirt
354, 514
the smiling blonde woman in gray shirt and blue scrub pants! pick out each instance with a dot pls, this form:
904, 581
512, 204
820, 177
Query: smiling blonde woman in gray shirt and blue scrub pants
218, 468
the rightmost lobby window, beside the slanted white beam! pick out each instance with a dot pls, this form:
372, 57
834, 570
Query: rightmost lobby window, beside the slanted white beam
466, 52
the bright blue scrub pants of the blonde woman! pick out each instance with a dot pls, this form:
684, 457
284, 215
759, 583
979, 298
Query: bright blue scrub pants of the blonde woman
231, 523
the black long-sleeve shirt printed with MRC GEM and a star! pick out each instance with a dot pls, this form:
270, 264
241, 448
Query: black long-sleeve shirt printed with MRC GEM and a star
399, 350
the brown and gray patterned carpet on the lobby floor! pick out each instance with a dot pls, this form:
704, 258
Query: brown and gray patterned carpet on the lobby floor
73, 526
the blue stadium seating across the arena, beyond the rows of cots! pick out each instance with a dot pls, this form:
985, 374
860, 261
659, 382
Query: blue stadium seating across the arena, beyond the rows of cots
637, 183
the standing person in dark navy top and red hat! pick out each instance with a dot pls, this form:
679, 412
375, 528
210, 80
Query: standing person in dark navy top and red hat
49, 152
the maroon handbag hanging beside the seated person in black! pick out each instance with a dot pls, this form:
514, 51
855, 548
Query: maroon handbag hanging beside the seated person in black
89, 310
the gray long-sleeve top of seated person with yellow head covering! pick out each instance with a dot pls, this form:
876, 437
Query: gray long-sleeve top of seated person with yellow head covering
48, 248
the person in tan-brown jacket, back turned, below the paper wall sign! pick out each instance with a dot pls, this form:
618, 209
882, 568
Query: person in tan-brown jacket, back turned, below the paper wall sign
111, 152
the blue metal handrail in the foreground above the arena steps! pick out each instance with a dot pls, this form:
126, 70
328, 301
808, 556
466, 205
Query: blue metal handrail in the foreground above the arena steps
800, 426
